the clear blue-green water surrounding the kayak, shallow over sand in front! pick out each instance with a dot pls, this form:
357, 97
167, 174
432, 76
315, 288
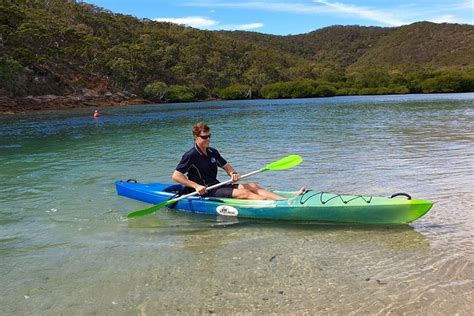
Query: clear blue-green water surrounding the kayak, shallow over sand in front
67, 248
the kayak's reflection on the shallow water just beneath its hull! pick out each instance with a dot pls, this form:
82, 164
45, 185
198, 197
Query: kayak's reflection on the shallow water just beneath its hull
181, 223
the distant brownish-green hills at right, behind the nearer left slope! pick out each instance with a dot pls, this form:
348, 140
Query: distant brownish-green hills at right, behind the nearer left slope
415, 46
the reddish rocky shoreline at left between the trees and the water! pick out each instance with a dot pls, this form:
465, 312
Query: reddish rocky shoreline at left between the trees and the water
57, 103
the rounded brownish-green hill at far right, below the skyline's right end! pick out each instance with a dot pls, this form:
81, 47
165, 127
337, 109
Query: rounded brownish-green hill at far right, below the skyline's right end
426, 45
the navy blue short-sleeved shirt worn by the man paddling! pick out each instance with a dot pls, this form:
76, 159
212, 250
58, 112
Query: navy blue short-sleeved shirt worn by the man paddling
200, 168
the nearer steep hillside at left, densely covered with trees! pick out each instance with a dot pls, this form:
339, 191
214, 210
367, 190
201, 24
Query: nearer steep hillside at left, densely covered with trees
65, 46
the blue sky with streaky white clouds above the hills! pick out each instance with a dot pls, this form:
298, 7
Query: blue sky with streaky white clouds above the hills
284, 17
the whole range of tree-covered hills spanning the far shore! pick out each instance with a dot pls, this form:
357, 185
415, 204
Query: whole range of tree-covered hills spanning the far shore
61, 47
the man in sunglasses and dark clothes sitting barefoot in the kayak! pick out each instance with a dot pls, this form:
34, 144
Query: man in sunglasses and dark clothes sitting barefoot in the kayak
200, 165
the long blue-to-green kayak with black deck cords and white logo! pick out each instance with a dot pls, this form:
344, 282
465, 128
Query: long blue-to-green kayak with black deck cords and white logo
310, 206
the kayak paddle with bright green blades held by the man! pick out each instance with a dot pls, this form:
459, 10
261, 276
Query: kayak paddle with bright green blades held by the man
282, 164
